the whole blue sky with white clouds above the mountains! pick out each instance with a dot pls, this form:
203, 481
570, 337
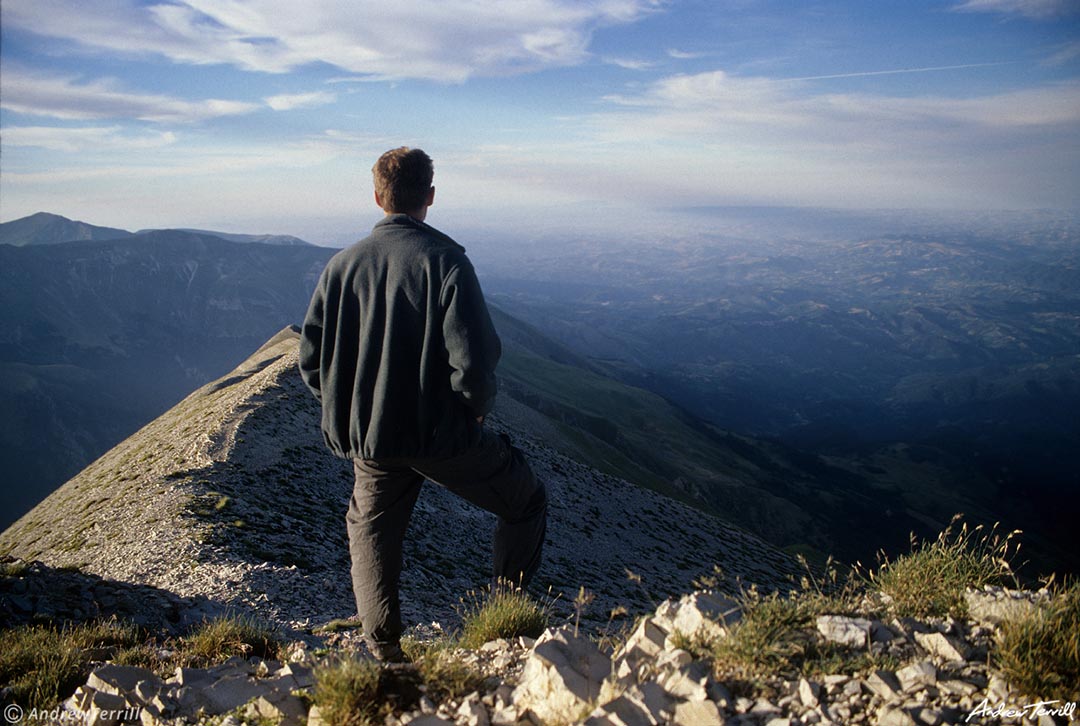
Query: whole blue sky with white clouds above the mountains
266, 115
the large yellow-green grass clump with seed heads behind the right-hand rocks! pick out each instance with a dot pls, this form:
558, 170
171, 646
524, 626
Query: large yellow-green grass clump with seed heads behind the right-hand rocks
930, 581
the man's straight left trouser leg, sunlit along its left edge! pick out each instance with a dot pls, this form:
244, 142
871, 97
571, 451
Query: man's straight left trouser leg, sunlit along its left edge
380, 512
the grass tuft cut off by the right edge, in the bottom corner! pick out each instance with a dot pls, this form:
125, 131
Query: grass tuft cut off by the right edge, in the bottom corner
1039, 653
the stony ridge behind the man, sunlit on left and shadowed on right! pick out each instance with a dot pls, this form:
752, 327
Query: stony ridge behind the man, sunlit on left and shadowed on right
233, 496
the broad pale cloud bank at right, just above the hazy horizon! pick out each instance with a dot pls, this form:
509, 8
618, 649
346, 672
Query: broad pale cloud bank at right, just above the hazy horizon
765, 140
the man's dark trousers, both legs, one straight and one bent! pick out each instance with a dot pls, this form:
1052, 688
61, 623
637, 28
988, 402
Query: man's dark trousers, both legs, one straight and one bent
494, 476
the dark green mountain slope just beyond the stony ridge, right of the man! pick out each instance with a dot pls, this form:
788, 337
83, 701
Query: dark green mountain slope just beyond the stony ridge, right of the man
793, 500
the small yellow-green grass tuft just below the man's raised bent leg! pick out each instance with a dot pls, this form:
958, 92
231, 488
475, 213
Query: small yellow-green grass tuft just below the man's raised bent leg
498, 613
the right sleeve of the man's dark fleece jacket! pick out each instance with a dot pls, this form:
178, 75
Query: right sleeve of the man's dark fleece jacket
472, 345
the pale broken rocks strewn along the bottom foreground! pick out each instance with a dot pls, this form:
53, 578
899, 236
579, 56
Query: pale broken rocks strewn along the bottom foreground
564, 678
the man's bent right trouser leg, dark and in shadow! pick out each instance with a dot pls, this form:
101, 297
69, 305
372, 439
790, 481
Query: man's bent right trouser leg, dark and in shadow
495, 477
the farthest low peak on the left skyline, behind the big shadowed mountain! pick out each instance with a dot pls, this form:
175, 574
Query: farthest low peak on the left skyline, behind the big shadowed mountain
45, 228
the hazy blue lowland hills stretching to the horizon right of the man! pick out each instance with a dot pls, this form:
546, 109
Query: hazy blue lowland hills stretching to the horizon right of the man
942, 366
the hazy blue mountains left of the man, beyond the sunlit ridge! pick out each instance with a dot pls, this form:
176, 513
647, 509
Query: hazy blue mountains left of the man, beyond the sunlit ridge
99, 337
